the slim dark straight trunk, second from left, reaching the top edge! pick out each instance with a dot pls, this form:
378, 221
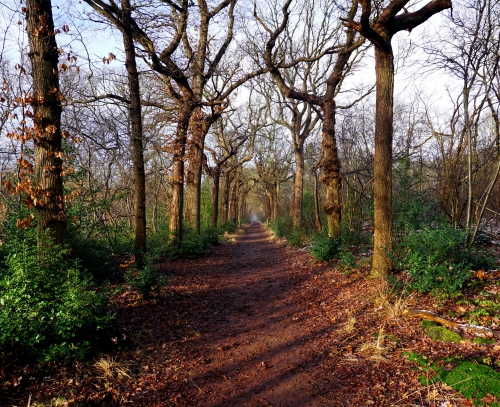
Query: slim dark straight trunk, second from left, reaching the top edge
136, 138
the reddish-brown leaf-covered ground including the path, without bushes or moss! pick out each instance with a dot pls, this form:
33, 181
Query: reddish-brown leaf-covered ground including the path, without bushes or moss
254, 323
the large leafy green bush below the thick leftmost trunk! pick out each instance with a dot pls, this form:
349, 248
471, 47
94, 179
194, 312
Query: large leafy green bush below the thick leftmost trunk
46, 310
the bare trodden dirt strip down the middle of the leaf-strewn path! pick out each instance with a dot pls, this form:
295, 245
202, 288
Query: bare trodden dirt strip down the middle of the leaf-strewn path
255, 346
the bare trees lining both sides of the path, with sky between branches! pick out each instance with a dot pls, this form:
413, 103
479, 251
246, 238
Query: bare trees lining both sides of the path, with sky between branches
179, 117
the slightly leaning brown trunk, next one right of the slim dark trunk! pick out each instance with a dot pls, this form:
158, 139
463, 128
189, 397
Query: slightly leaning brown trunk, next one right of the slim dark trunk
177, 178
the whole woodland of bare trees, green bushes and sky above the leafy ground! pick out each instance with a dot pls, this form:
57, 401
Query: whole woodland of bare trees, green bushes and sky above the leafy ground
133, 132
